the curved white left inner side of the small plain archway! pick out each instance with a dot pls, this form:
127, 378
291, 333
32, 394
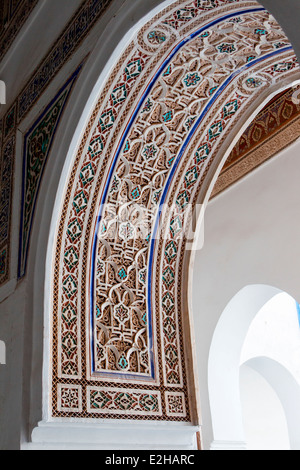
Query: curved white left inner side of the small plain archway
224, 363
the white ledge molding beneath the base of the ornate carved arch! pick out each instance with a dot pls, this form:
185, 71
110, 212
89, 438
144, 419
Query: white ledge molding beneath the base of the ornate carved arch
112, 435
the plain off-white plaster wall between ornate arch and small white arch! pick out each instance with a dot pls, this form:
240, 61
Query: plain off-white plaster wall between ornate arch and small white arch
252, 234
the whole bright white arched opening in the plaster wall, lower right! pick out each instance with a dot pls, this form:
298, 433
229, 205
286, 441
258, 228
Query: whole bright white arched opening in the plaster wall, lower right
253, 372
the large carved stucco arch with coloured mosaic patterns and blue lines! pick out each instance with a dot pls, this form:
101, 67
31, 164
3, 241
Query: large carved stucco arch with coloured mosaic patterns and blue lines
167, 116
